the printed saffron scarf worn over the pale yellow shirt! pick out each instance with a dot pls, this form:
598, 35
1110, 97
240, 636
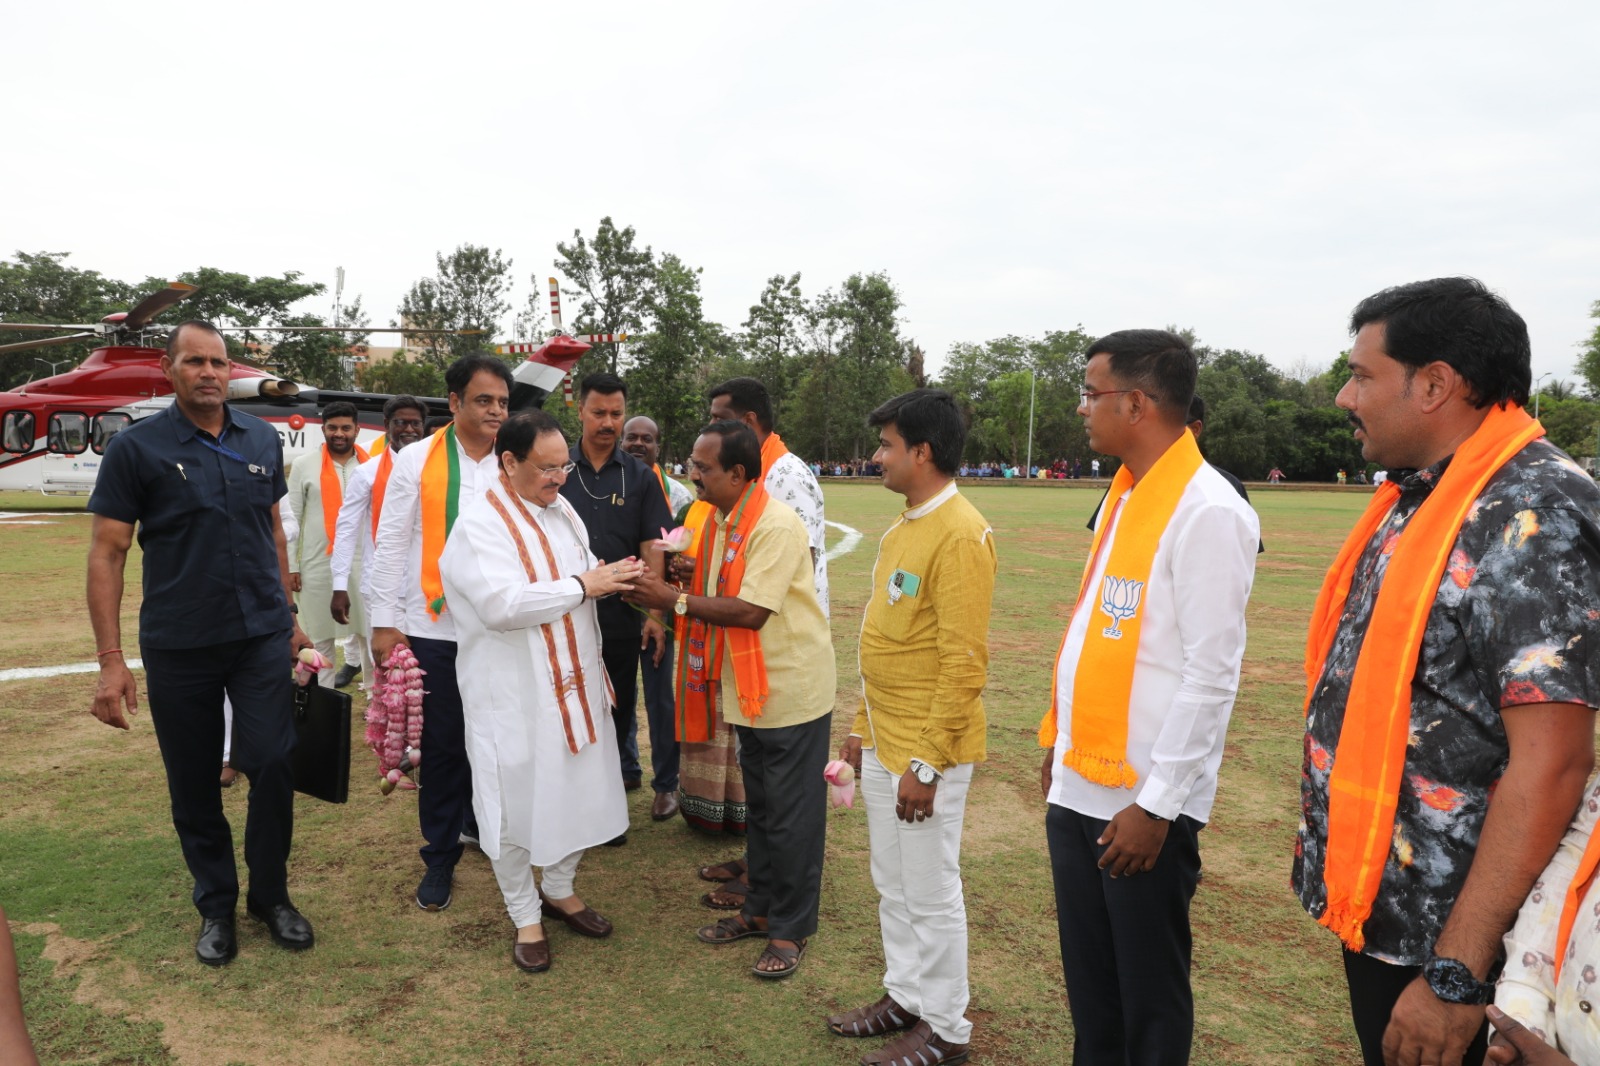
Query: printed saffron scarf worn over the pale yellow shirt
702, 644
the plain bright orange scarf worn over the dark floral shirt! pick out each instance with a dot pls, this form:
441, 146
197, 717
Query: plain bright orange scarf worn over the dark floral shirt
1364, 788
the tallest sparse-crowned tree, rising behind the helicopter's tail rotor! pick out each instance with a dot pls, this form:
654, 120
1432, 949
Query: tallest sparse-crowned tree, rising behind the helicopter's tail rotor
610, 283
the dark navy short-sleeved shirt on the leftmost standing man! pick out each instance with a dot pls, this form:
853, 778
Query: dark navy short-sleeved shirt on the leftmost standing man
206, 526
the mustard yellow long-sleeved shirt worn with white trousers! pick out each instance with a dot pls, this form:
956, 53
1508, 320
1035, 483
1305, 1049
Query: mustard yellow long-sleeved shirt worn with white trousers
926, 649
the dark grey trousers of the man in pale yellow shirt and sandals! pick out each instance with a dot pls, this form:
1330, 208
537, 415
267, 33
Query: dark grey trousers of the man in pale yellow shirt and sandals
788, 824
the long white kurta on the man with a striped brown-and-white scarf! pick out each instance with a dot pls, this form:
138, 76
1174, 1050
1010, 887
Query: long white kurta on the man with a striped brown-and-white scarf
554, 803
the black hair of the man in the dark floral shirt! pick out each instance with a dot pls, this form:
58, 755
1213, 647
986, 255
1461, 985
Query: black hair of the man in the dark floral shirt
1460, 323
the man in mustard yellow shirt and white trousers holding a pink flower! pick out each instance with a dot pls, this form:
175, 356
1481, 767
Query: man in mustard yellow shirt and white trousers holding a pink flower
921, 727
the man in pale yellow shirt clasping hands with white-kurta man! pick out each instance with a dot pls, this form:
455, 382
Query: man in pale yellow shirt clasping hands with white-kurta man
754, 643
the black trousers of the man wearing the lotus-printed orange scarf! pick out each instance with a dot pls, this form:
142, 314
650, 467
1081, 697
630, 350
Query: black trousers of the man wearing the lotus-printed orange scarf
1126, 944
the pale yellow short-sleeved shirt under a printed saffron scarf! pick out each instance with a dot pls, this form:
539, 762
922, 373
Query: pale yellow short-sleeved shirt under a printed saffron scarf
796, 641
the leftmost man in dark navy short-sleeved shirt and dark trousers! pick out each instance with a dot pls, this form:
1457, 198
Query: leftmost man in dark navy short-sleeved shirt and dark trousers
202, 484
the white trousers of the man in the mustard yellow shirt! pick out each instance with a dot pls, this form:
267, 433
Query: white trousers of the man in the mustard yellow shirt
918, 872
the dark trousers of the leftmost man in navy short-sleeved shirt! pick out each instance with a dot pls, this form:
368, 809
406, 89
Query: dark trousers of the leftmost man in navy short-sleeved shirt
186, 692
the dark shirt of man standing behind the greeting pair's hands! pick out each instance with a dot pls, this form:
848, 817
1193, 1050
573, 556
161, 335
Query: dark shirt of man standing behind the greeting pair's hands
623, 507
